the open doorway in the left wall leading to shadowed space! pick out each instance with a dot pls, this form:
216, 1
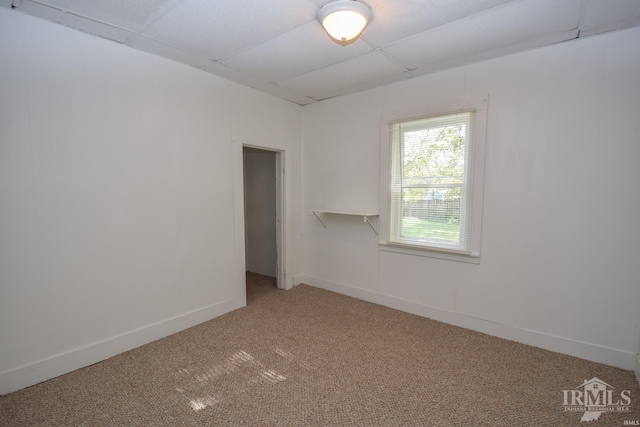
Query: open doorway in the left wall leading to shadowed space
263, 202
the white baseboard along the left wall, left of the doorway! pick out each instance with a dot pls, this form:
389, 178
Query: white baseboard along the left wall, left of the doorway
51, 367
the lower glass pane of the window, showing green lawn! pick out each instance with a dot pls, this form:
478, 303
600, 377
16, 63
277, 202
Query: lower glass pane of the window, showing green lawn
431, 214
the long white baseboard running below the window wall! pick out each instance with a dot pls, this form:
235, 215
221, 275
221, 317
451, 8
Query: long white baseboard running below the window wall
583, 350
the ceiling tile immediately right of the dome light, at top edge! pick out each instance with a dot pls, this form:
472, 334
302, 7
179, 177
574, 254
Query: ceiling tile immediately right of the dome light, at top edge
398, 19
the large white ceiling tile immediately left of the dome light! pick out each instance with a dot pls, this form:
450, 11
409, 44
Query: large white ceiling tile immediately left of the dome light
215, 29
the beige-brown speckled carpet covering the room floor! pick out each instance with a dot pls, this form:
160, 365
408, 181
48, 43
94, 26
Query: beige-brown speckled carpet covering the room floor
313, 357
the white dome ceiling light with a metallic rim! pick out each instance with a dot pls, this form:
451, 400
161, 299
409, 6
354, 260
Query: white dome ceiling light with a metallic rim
344, 20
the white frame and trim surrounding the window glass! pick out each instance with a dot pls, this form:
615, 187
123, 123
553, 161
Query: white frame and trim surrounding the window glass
479, 106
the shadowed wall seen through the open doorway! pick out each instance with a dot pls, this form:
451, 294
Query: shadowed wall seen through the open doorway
260, 211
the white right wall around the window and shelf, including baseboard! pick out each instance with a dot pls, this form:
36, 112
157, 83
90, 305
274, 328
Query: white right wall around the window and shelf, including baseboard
560, 236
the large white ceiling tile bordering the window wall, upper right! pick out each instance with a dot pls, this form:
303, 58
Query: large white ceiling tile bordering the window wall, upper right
499, 28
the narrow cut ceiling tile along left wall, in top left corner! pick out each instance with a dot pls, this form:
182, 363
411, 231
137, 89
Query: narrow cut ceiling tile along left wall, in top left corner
74, 21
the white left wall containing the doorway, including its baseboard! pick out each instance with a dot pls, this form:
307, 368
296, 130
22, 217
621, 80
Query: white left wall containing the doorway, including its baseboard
118, 189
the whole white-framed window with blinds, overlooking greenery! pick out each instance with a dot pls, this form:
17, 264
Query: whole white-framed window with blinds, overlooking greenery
433, 163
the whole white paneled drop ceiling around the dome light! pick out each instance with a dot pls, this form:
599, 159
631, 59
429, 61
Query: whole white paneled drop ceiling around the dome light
278, 46
